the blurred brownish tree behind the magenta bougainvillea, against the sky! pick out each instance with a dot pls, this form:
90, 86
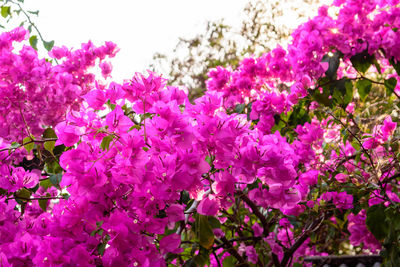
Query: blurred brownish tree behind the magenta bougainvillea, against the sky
262, 26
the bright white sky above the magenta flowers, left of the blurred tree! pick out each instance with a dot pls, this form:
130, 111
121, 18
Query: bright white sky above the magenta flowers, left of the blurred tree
139, 27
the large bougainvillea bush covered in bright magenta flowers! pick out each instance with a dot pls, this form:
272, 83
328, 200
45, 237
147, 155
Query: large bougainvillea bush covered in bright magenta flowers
293, 153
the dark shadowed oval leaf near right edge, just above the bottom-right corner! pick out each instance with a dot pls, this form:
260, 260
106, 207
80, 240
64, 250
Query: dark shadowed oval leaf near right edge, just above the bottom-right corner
376, 222
